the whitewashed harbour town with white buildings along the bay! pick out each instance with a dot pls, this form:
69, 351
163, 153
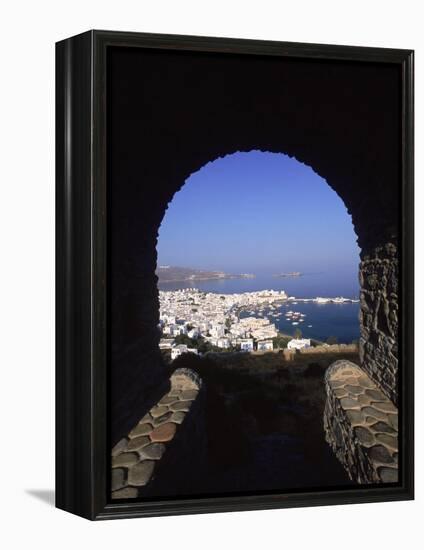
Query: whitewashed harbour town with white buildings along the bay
193, 321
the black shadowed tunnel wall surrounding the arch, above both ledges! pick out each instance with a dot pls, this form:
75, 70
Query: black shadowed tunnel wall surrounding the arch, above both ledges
169, 113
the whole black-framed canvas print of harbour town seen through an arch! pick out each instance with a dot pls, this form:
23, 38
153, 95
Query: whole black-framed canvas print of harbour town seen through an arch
234, 274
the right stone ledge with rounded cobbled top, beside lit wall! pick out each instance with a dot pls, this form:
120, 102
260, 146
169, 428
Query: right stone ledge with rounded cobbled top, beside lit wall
361, 425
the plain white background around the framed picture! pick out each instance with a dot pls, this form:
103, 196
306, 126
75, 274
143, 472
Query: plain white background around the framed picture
29, 30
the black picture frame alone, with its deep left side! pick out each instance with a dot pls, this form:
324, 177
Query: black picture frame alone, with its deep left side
82, 446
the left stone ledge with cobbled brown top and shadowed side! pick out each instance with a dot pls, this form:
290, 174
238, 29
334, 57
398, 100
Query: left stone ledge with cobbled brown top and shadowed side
145, 462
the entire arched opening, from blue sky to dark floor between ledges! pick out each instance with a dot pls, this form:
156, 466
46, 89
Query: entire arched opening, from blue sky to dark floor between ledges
258, 284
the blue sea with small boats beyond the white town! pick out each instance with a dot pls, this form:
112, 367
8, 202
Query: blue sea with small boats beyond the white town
339, 320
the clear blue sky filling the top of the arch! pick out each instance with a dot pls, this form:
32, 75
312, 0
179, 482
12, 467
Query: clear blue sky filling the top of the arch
258, 212
